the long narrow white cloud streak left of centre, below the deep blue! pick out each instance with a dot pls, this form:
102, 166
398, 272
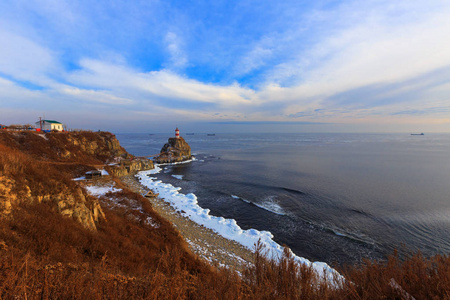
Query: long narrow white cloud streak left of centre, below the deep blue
162, 84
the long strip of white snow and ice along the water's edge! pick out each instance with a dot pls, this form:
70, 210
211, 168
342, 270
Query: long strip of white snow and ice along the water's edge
228, 228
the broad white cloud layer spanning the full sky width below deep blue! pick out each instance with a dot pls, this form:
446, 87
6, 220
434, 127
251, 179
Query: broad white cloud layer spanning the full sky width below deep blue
364, 60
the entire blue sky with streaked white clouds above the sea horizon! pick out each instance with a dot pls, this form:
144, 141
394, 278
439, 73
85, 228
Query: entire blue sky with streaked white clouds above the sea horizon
227, 66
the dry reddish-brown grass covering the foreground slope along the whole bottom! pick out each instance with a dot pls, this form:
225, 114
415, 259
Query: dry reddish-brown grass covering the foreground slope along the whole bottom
44, 255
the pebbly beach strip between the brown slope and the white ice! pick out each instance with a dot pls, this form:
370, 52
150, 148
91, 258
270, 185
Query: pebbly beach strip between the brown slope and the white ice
204, 242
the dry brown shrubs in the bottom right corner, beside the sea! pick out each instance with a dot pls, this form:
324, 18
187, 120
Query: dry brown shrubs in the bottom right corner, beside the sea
416, 277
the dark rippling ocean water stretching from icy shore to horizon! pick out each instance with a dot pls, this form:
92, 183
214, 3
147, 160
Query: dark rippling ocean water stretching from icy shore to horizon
336, 198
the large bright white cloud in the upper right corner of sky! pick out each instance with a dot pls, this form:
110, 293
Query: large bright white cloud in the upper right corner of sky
373, 49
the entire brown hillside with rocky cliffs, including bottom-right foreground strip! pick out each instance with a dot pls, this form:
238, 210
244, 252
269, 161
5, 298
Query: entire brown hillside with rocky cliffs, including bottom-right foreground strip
61, 240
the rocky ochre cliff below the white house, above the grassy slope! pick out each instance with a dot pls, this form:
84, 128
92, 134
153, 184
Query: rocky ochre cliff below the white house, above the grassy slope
38, 167
